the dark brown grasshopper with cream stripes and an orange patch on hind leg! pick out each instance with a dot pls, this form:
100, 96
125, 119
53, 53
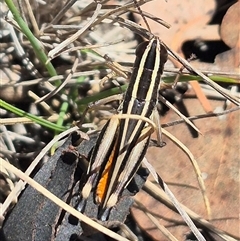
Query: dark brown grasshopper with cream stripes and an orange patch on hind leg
124, 139
